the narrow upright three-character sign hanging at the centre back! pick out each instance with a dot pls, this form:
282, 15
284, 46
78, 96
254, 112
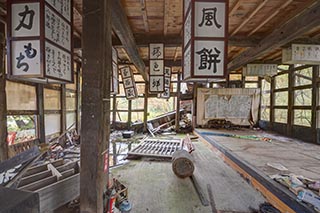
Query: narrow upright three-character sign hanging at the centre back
156, 68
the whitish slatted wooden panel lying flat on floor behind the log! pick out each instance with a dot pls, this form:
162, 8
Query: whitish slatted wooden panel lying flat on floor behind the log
156, 148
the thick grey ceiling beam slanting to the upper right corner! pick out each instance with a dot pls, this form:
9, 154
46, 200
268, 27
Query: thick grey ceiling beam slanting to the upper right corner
299, 25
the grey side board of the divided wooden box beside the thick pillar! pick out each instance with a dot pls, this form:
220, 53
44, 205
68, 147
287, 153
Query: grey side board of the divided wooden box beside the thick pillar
60, 193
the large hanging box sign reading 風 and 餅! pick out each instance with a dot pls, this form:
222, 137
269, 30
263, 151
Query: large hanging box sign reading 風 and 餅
205, 45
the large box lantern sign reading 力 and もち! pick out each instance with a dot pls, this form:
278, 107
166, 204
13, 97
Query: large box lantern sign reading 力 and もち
40, 40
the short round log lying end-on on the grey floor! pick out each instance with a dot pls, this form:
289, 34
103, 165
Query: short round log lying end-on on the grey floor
182, 163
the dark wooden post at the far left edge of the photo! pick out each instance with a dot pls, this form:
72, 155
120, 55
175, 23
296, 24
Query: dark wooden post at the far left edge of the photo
3, 103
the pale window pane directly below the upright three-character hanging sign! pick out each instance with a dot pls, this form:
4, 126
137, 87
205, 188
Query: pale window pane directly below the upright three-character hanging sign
157, 106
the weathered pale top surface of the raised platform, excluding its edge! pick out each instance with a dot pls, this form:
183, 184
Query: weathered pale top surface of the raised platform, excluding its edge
298, 157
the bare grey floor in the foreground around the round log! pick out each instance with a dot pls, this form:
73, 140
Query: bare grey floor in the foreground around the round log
153, 187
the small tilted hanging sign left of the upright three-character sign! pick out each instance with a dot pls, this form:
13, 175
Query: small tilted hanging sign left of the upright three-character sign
129, 84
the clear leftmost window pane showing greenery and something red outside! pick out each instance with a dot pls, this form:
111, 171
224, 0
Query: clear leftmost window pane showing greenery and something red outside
21, 128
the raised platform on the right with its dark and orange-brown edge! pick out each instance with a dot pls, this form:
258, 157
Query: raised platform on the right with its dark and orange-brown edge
250, 158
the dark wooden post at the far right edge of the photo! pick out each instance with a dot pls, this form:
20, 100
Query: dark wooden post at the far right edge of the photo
315, 101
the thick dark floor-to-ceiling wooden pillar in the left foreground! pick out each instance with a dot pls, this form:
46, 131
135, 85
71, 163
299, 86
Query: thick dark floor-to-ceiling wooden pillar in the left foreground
95, 120
